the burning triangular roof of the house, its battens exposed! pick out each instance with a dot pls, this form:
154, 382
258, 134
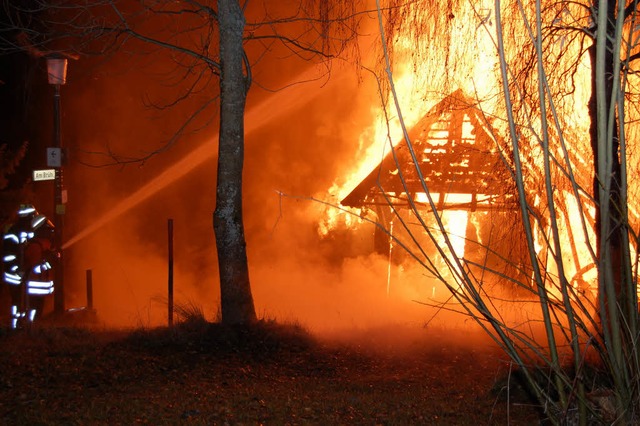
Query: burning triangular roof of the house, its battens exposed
457, 153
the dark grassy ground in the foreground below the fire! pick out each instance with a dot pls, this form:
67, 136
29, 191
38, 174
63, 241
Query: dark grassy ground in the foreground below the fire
203, 373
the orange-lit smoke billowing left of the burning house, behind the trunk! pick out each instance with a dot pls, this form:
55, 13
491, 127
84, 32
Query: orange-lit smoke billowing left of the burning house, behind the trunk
299, 142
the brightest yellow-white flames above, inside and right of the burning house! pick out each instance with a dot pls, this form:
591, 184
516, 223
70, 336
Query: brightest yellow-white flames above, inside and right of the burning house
475, 73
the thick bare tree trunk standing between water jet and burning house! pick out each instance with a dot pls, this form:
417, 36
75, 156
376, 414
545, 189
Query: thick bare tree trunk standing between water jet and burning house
235, 290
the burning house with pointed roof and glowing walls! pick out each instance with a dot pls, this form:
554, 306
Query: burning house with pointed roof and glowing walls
456, 164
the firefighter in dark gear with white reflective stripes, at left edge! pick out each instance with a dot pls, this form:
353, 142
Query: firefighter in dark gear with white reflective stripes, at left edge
27, 260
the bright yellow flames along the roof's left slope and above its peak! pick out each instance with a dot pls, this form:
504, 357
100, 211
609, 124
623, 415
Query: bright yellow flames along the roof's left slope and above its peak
386, 128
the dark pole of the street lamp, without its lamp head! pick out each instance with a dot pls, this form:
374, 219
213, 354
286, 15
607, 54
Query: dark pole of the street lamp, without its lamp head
58, 210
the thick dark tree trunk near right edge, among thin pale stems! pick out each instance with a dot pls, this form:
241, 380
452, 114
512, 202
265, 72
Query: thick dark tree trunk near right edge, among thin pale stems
617, 295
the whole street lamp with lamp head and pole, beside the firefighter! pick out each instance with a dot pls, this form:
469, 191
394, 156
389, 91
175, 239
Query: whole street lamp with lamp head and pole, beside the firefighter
57, 75
